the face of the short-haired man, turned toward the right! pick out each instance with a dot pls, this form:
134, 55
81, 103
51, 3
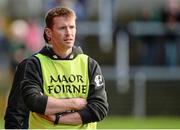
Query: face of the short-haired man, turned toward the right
63, 32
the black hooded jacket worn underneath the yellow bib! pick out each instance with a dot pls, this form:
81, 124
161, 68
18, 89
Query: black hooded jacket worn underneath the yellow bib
25, 92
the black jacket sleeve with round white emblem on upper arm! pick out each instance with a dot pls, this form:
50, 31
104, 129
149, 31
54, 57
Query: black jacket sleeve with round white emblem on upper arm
97, 106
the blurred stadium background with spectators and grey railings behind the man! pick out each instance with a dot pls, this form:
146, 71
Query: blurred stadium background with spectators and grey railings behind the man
136, 42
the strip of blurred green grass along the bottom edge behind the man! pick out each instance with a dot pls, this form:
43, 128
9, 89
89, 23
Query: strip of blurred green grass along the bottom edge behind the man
132, 123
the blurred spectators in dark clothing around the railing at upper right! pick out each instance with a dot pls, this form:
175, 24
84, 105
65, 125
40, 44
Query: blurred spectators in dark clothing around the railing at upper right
161, 50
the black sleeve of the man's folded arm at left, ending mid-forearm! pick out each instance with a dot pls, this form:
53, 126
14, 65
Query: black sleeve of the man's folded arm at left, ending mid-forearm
31, 85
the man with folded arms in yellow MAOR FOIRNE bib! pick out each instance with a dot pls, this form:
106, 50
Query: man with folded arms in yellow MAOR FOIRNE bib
60, 86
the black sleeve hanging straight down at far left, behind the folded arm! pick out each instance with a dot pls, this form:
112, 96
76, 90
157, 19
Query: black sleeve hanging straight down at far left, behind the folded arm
16, 111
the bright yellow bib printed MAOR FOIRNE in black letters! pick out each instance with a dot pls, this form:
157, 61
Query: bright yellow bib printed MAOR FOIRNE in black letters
63, 79
